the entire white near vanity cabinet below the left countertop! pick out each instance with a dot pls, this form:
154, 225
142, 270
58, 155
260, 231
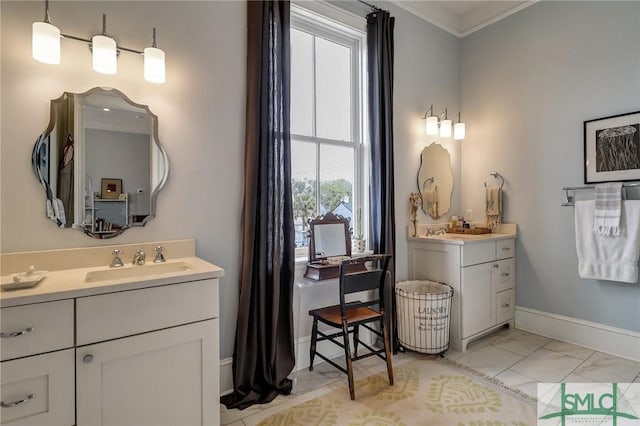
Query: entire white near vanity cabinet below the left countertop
138, 356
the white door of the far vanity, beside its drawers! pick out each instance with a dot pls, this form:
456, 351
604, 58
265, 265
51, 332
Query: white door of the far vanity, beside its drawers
478, 299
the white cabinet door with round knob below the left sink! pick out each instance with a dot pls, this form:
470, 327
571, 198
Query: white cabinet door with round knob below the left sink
166, 377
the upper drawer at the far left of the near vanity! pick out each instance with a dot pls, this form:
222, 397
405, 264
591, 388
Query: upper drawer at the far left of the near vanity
36, 328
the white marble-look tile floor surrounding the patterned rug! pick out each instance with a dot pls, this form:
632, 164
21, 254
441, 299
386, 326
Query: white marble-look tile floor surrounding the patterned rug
517, 358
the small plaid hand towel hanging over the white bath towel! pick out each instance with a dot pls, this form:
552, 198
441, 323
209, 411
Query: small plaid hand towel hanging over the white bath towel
608, 209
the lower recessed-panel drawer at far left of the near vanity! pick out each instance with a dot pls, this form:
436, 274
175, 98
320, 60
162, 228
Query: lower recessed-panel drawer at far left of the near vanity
50, 379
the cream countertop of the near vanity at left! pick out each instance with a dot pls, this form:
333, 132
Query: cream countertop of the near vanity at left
71, 283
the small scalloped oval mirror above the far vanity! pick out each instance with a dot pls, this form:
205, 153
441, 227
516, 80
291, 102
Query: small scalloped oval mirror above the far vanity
435, 180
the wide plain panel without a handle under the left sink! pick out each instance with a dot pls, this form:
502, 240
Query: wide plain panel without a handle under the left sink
109, 316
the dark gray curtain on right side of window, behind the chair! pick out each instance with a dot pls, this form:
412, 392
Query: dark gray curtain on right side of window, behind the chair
381, 190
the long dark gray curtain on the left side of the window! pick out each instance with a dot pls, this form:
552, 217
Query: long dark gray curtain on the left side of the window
264, 352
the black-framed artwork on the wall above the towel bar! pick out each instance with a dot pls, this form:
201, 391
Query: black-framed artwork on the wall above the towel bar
612, 148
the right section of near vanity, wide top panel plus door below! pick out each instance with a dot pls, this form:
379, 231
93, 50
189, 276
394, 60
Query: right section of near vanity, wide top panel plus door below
148, 357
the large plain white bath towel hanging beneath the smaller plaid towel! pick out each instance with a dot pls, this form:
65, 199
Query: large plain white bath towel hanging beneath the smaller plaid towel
603, 257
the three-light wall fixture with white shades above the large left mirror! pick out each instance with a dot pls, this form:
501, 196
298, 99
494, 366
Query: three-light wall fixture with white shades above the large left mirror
46, 48
